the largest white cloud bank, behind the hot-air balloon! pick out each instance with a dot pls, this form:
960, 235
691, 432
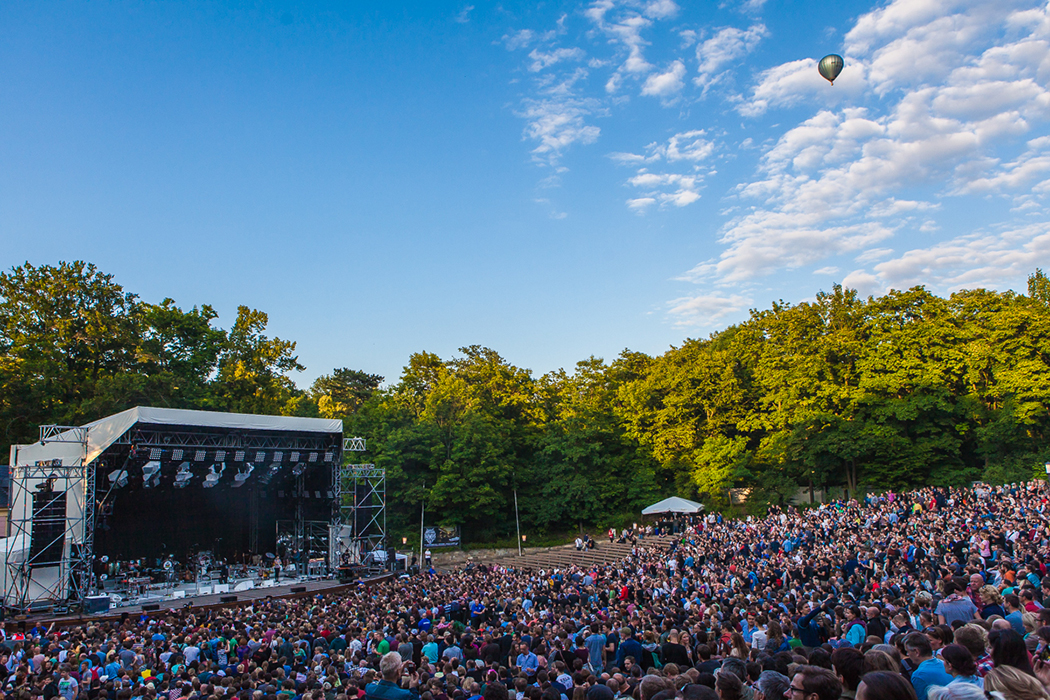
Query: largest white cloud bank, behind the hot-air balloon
849, 178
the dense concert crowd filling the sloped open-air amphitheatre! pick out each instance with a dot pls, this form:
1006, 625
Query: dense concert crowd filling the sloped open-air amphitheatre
934, 595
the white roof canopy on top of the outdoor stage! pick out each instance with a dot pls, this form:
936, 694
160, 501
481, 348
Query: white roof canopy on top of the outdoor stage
104, 433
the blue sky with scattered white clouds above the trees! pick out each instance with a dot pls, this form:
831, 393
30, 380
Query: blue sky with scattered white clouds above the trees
550, 180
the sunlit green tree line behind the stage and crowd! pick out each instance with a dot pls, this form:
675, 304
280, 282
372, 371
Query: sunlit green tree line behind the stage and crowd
893, 392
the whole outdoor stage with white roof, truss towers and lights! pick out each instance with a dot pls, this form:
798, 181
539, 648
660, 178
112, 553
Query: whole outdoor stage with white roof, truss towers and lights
157, 506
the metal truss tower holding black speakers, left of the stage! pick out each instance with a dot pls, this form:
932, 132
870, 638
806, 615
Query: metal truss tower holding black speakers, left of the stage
36, 580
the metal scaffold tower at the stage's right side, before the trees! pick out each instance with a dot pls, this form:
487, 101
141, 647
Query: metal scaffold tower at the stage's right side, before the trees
364, 506
